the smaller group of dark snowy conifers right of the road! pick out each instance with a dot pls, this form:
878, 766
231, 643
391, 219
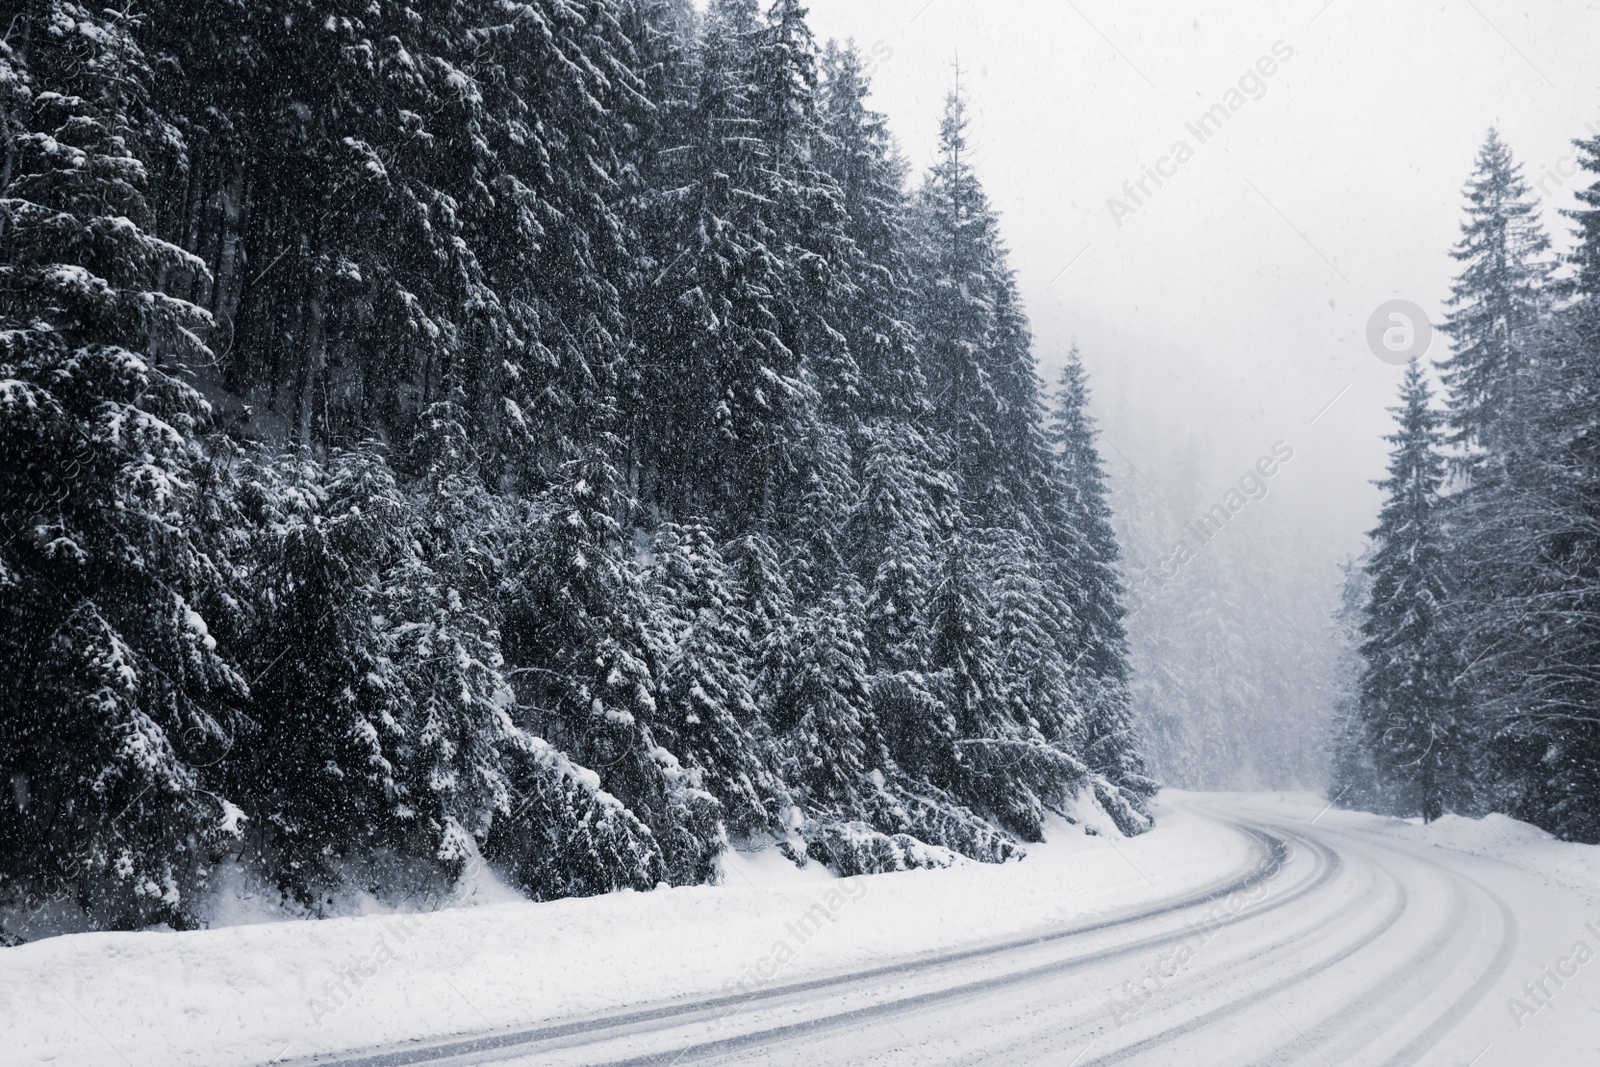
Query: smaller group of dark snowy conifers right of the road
1478, 607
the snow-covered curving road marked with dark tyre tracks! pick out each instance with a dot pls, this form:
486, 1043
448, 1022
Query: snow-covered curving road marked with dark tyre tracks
1330, 946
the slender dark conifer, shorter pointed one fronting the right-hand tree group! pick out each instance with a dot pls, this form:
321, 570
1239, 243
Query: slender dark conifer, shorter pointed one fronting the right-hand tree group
1409, 705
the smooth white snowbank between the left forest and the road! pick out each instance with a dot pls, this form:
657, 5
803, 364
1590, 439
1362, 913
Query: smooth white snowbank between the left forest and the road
271, 991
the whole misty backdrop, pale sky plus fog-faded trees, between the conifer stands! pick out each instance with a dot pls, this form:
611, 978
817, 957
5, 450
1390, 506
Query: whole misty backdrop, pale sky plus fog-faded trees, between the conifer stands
1228, 311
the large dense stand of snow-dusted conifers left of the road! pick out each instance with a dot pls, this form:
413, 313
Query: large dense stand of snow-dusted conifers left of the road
561, 436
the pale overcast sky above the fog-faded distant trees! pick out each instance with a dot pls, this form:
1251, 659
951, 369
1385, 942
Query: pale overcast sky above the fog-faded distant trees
1231, 308
